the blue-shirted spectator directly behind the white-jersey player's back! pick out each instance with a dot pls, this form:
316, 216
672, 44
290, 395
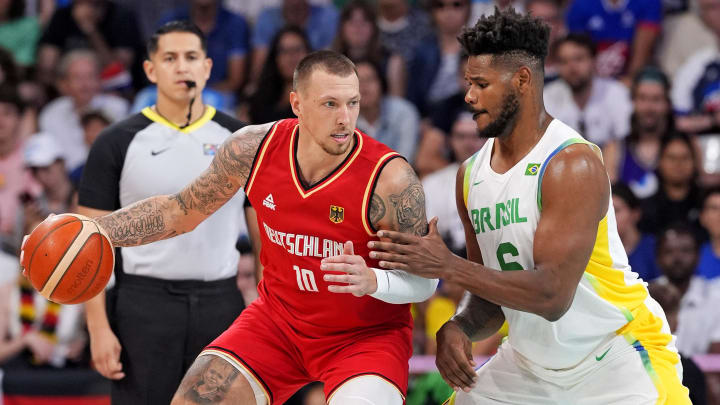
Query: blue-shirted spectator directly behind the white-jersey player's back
640, 247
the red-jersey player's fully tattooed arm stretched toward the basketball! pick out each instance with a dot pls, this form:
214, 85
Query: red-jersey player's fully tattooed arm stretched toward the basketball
165, 216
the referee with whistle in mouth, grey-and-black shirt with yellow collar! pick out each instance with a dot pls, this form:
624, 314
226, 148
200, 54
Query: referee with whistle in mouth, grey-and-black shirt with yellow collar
172, 297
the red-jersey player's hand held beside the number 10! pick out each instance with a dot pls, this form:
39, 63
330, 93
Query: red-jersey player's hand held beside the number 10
360, 279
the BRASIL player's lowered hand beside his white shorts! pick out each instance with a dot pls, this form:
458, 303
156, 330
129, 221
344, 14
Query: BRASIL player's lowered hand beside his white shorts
454, 357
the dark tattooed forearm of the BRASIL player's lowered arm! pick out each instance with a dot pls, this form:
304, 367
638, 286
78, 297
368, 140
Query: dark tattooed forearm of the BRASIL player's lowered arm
477, 317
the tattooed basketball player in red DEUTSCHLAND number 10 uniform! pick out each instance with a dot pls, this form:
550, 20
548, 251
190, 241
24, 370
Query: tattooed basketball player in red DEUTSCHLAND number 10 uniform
321, 189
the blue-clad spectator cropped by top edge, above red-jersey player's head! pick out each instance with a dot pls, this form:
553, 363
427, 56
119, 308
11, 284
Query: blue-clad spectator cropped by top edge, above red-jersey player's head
318, 22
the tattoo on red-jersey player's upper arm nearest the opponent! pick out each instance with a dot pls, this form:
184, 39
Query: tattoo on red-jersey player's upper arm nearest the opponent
409, 206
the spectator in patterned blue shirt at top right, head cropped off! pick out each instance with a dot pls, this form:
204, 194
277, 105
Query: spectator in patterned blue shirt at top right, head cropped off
624, 31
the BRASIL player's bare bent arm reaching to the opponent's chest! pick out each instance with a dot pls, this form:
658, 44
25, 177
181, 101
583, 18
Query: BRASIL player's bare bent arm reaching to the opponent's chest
575, 194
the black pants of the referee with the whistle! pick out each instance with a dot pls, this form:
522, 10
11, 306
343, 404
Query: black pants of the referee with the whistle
162, 326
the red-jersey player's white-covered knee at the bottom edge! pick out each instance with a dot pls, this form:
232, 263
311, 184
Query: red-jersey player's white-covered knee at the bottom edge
367, 390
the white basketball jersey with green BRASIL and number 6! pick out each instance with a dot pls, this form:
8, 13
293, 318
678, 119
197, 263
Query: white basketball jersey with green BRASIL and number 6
505, 210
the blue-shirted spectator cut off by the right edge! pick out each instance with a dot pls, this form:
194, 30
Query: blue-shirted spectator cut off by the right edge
709, 264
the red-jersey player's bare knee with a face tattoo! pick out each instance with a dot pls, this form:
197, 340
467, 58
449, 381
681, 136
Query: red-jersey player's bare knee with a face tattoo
214, 380
